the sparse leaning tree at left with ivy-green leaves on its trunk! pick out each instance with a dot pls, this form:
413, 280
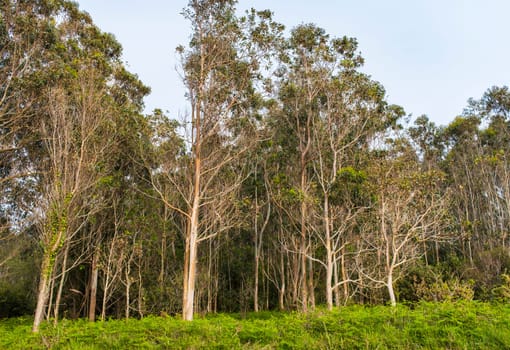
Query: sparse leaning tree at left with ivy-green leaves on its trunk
76, 143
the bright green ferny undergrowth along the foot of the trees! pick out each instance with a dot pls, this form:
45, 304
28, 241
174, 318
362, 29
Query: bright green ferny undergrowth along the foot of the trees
466, 325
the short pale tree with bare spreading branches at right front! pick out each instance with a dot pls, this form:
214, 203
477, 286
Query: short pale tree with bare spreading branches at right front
409, 207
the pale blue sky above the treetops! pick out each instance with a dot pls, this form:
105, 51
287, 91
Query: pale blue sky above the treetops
430, 55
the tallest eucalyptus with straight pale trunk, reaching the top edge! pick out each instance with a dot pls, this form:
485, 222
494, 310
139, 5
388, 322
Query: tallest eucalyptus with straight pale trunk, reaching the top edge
220, 70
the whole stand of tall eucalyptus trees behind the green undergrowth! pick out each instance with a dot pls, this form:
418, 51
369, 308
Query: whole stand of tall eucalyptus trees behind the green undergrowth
291, 184
